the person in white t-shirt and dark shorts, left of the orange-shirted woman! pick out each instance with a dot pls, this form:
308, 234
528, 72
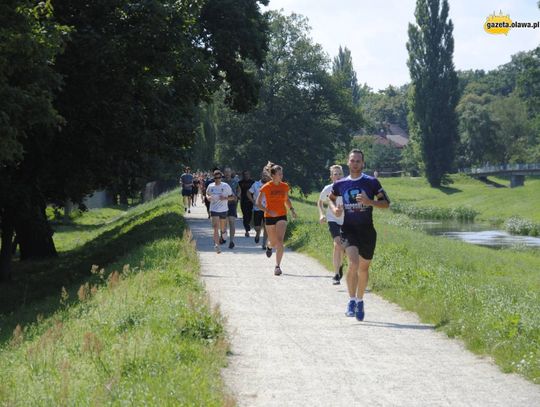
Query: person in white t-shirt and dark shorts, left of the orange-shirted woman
219, 194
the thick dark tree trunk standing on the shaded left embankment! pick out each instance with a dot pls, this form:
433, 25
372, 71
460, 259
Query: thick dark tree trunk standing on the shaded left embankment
34, 231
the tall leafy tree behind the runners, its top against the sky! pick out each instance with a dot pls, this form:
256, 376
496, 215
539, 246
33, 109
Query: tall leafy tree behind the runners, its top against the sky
304, 114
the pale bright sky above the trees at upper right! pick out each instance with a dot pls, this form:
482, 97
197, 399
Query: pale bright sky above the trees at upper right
376, 33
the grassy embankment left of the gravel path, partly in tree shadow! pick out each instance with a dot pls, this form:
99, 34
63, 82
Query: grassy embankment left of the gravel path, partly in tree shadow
137, 332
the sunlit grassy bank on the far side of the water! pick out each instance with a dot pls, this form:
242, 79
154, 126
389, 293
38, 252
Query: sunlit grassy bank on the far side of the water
515, 210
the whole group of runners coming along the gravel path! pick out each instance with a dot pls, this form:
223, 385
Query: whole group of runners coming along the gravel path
346, 205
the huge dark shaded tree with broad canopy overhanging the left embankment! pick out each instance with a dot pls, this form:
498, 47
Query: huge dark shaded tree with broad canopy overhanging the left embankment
134, 73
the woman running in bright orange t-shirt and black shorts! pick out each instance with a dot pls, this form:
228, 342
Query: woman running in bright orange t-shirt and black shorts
276, 193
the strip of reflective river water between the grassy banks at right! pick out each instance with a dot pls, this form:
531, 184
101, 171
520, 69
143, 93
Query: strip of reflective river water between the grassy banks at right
477, 233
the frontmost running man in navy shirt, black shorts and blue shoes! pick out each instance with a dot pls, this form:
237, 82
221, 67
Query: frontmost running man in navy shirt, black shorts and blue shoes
359, 237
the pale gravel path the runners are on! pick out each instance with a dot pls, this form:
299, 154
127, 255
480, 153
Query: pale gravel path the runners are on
293, 346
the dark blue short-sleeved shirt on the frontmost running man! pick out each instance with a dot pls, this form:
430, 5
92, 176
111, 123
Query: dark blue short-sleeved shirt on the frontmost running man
356, 213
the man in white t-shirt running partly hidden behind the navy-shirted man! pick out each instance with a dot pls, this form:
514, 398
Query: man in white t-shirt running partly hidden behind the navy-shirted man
334, 222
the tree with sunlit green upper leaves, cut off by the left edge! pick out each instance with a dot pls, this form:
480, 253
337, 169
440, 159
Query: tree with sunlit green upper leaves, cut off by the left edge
30, 42
